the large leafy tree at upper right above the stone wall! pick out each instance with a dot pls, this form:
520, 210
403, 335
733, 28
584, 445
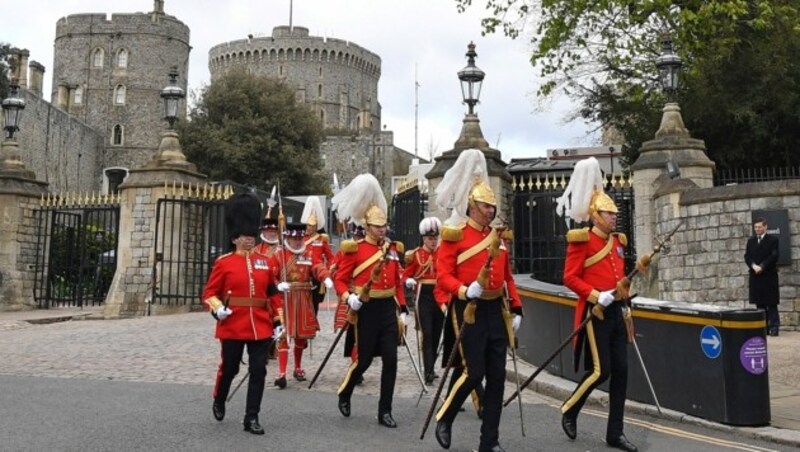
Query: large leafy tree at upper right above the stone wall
740, 67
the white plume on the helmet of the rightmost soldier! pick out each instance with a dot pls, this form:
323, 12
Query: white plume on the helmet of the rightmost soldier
585, 179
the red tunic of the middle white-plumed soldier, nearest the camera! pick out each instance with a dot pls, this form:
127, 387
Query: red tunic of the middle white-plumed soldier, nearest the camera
453, 276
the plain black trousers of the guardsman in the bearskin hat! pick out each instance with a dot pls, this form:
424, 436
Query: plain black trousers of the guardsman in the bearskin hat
232, 350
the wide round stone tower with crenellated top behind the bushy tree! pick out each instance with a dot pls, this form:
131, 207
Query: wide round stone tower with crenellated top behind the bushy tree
337, 78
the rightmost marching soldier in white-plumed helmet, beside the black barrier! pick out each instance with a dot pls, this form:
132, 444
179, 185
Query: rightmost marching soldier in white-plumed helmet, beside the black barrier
594, 265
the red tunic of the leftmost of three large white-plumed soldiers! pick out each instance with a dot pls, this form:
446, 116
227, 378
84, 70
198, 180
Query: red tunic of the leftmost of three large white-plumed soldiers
355, 269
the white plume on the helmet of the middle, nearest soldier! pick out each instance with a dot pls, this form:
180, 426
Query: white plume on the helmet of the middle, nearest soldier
453, 191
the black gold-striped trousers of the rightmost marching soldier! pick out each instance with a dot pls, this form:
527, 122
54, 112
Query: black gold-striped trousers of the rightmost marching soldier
606, 345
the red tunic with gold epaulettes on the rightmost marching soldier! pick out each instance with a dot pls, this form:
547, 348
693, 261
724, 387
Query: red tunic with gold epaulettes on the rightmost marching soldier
594, 263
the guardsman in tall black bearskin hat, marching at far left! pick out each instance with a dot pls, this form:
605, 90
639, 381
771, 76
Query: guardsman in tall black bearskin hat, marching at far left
241, 294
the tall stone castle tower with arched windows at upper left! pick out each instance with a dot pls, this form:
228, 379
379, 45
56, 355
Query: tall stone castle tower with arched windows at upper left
110, 73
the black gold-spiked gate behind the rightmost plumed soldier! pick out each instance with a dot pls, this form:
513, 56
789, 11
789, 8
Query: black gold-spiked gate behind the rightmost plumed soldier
540, 234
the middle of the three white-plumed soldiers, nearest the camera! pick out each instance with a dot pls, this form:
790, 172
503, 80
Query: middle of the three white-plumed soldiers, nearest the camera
475, 270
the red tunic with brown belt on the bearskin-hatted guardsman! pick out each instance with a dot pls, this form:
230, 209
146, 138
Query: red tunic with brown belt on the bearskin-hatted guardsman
241, 280
